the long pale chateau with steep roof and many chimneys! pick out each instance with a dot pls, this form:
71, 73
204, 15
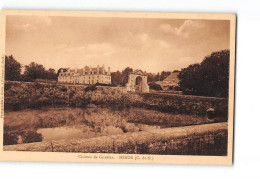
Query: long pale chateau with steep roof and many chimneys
87, 75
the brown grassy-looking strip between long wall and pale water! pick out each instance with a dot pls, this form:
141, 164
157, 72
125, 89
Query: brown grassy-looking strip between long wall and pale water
97, 116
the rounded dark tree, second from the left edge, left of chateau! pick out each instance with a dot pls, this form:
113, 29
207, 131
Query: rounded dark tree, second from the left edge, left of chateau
34, 71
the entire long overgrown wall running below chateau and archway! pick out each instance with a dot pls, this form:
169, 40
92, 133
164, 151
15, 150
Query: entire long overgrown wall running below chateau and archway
21, 95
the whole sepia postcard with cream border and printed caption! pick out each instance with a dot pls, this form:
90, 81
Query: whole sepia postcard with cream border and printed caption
117, 87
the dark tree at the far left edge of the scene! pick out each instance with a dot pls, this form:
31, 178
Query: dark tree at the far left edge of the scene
12, 69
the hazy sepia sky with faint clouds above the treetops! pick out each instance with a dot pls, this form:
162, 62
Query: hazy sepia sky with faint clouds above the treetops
152, 45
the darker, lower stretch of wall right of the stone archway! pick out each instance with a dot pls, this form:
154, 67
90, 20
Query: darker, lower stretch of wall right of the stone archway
186, 104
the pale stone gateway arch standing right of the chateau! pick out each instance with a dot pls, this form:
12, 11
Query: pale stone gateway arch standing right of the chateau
137, 82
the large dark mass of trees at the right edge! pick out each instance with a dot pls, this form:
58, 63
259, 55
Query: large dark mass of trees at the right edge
209, 78
